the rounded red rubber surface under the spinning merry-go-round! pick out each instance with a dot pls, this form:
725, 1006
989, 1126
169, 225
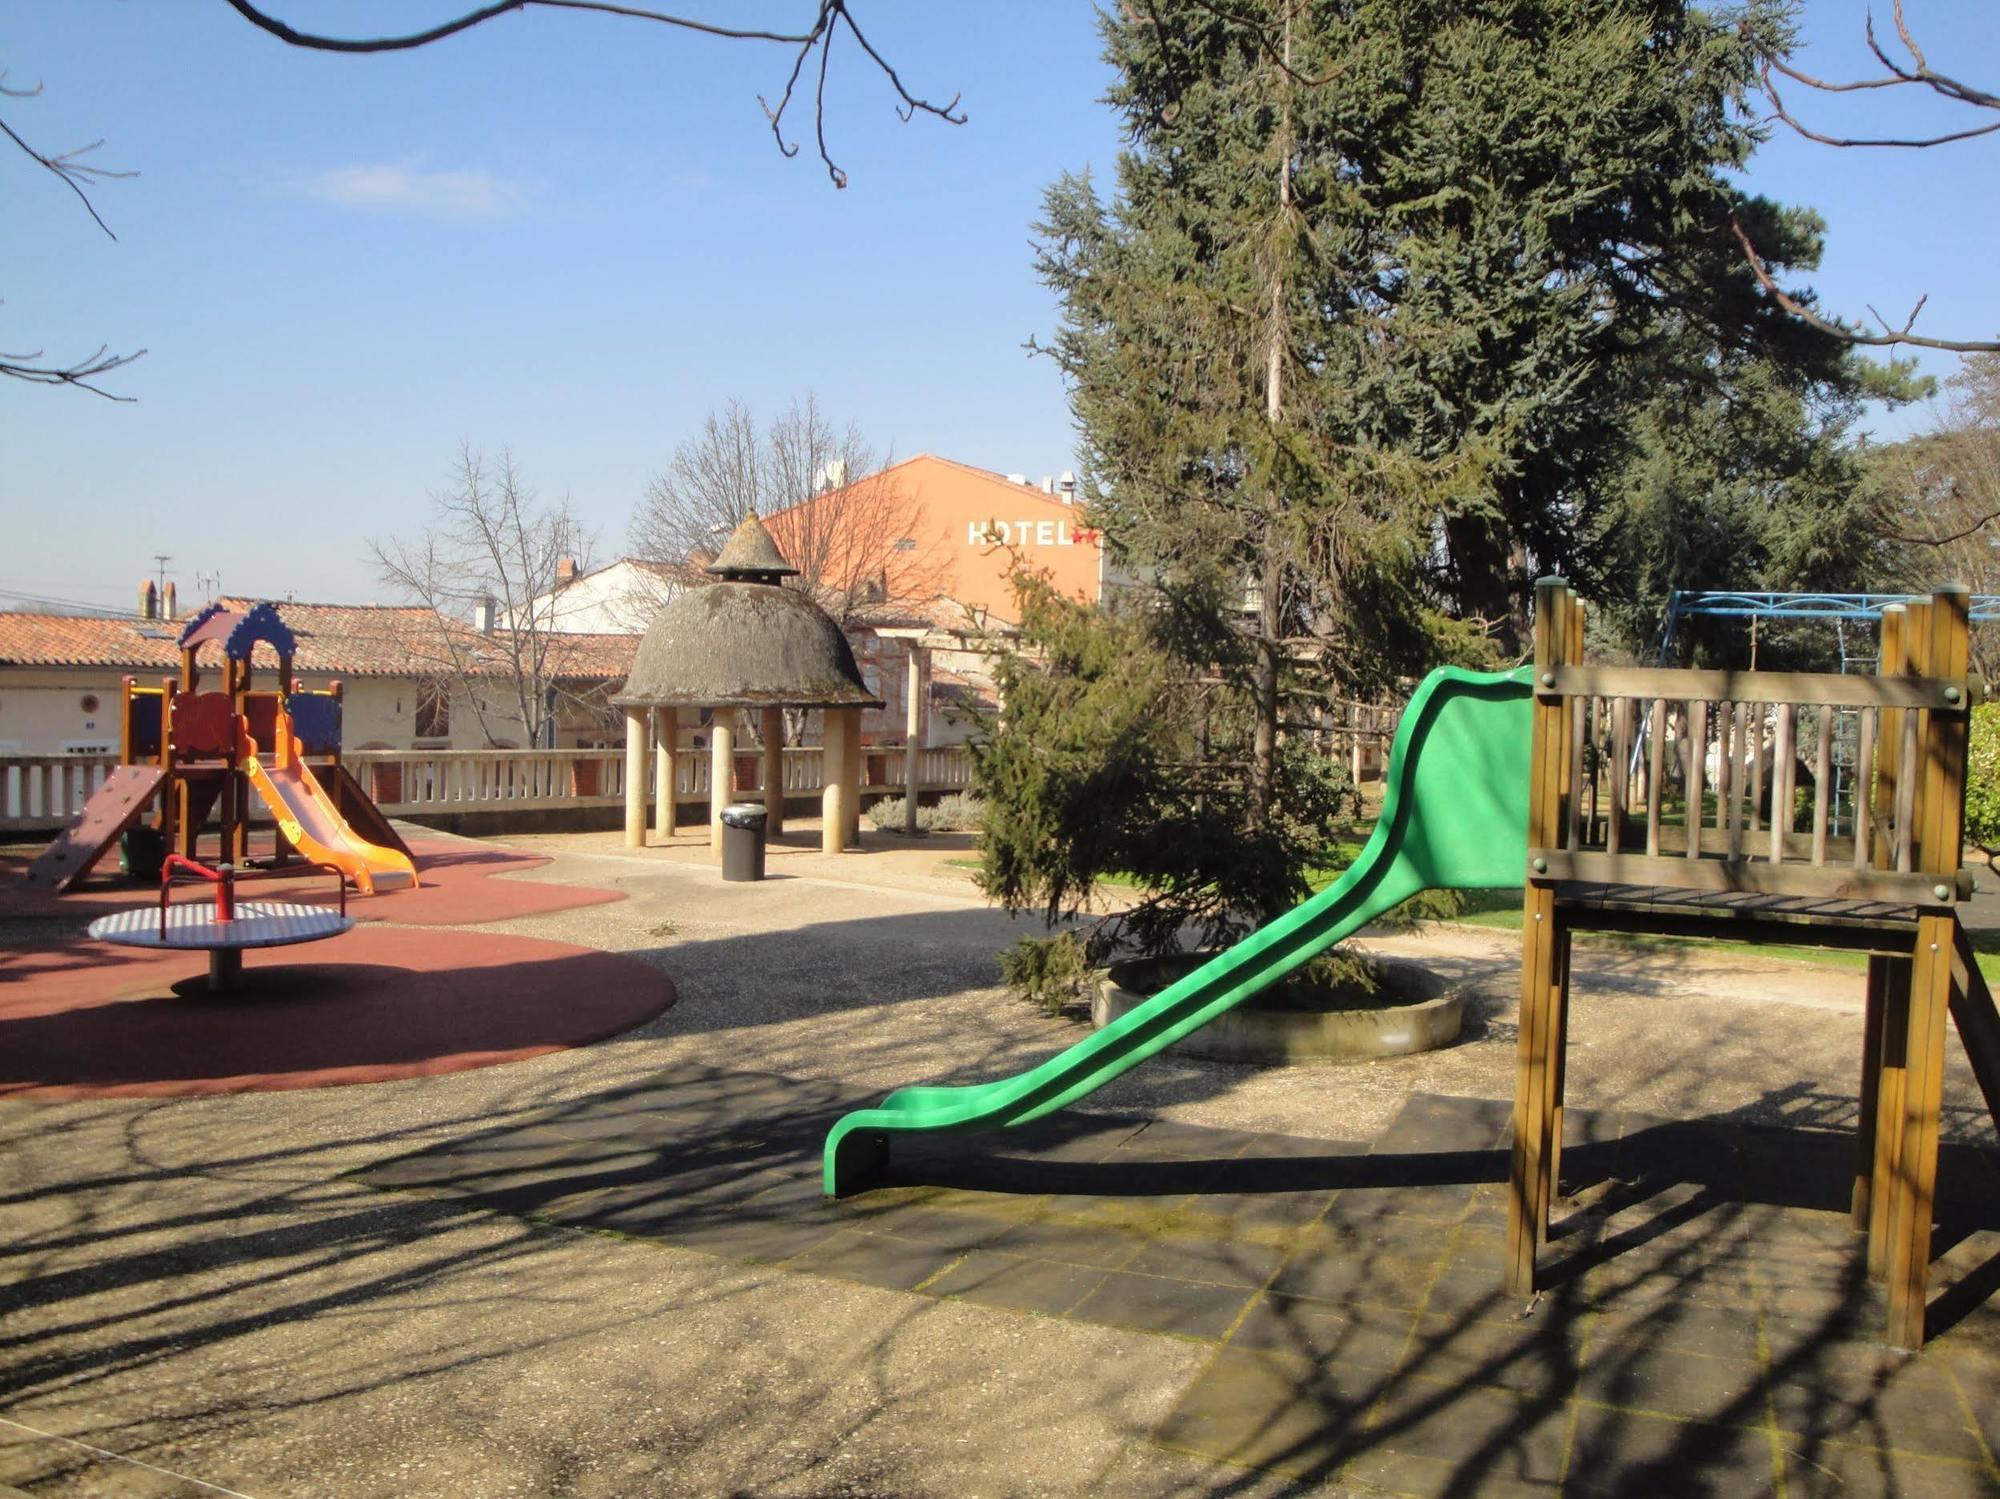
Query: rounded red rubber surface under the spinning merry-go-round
91, 1020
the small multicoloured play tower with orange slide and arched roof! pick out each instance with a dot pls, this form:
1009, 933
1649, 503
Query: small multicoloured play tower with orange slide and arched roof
197, 754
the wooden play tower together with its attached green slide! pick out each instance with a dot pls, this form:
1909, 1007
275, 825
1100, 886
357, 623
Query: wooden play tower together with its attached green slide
1557, 778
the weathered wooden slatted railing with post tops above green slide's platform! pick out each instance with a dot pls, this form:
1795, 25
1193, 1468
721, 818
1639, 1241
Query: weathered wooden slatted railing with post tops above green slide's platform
1693, 778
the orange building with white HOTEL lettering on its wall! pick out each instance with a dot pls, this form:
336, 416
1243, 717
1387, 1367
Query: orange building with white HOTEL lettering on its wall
957, 533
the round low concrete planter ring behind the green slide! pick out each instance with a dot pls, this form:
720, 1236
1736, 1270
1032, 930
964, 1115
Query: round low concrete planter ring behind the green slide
1429, 1016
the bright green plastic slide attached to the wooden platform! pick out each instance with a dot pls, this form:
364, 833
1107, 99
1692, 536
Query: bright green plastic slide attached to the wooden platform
1455, 816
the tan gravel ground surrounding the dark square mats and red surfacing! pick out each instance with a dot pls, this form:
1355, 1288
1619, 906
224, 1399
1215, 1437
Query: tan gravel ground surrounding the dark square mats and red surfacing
195, 1282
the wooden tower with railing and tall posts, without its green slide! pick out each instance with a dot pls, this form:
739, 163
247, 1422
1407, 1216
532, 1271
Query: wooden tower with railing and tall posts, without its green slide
1877, 870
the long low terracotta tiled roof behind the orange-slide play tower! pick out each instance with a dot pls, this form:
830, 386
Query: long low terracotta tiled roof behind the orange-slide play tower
351, 641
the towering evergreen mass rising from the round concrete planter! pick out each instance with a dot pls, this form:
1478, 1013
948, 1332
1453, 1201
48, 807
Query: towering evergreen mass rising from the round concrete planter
1391, 311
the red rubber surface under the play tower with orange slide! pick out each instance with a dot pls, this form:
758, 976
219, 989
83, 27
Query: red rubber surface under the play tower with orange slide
455, 890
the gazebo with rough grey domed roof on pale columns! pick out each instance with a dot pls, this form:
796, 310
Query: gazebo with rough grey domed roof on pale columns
745, 643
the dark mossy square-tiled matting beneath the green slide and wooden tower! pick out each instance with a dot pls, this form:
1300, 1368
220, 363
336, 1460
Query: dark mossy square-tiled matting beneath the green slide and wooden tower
1371, 1344
